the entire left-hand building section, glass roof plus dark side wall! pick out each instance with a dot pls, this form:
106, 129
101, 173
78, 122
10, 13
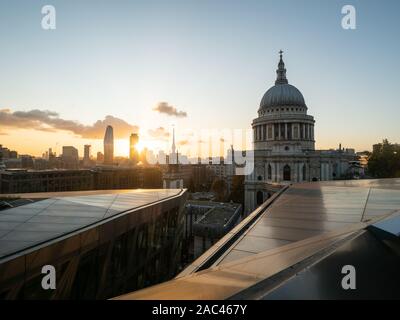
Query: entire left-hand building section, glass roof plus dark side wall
100, 243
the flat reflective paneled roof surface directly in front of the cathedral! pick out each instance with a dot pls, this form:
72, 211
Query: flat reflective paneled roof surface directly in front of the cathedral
309, 209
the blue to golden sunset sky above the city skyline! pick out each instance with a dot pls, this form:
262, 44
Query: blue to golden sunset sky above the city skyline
149, 66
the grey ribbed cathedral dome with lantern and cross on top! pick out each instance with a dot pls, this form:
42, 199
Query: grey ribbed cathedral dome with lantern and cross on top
282, 93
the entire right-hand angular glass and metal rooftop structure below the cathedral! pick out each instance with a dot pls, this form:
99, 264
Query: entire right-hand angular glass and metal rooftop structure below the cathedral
293, 247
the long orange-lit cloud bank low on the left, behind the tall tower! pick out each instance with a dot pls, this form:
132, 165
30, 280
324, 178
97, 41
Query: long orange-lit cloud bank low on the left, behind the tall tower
50, 121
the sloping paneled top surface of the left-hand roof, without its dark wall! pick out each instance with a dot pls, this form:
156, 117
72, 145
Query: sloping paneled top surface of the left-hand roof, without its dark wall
41, 217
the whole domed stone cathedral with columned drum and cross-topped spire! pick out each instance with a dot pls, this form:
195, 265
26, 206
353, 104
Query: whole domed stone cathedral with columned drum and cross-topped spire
284, 145
